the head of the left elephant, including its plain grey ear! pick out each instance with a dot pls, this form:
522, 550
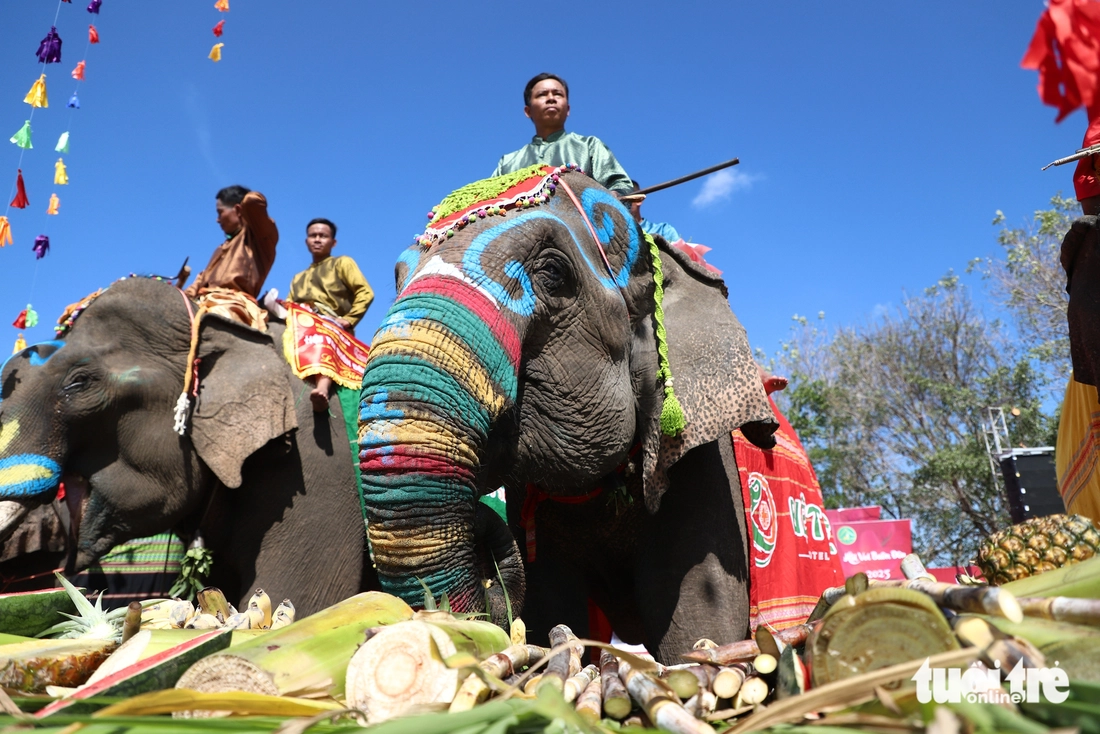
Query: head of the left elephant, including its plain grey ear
96, 410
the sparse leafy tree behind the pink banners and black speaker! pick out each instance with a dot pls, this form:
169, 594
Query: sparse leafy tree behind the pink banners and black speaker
892, 413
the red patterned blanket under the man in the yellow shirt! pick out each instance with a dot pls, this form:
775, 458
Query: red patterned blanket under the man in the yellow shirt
314, 345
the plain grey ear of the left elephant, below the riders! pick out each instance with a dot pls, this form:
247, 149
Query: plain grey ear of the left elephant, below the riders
245, 397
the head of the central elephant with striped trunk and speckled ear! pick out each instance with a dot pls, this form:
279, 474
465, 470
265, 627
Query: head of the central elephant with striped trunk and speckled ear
522, 349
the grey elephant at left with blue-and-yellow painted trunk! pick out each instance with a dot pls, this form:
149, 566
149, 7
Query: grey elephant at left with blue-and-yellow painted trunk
271, 485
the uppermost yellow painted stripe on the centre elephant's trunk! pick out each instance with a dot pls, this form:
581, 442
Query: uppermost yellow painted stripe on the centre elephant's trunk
447, 353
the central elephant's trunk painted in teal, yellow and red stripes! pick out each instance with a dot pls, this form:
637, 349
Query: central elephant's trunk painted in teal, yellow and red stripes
428, 402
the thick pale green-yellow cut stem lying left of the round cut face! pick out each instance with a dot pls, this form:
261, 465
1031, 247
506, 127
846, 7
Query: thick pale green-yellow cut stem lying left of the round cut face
307, 659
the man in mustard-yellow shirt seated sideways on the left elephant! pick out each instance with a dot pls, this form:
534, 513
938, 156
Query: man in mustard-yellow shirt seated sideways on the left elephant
334, 288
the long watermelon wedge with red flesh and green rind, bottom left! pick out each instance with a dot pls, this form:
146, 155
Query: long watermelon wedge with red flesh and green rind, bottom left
153, 674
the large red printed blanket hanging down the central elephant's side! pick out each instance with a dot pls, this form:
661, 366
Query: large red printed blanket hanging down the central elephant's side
794, 557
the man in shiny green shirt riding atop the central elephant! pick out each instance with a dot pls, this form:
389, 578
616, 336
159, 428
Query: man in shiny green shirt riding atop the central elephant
546, 104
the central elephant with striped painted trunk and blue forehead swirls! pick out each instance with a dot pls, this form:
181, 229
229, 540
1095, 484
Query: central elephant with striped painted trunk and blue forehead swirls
523, 352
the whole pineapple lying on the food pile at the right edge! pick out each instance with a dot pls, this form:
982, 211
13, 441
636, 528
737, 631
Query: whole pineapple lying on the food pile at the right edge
1039, 545
